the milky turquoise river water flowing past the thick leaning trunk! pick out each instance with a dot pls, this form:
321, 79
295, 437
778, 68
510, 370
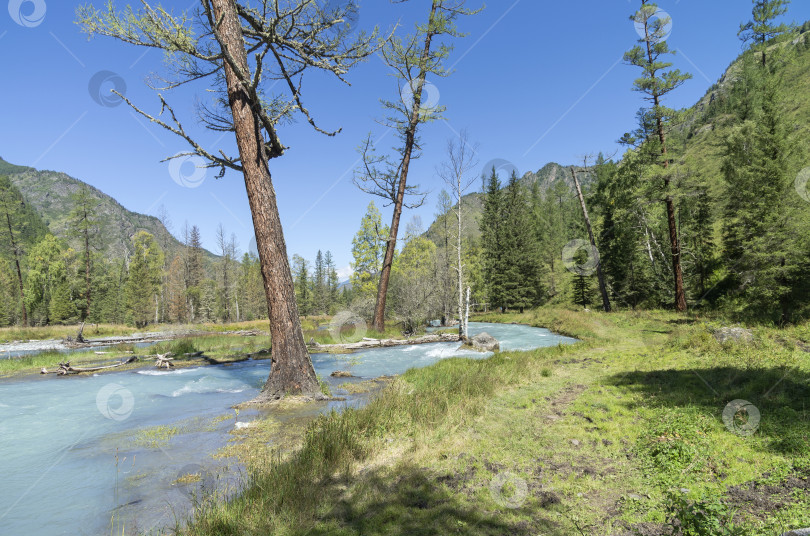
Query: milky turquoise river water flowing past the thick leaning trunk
72, 462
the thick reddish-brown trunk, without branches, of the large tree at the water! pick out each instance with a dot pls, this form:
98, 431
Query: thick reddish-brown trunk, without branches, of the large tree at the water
291, 367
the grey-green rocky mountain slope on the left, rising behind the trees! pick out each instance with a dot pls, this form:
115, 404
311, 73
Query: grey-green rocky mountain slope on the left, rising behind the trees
48, 193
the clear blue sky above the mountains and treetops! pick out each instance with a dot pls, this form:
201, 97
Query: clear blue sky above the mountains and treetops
535, 81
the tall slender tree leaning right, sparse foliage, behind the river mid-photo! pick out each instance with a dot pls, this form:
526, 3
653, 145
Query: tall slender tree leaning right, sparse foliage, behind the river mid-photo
413, 58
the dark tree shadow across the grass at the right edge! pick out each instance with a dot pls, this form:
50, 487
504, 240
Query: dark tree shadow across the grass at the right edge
781, 395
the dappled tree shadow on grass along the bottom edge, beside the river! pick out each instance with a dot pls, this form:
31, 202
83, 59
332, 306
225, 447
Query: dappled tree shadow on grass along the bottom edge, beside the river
411, 501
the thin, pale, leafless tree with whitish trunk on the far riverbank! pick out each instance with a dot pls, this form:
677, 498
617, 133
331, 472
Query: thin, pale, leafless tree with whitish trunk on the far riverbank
456, 173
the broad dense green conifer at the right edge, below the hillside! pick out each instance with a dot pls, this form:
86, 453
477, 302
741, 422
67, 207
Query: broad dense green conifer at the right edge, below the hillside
763, 233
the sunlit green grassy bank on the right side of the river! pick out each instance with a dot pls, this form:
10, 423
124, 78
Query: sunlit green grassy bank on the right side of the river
616, 435
